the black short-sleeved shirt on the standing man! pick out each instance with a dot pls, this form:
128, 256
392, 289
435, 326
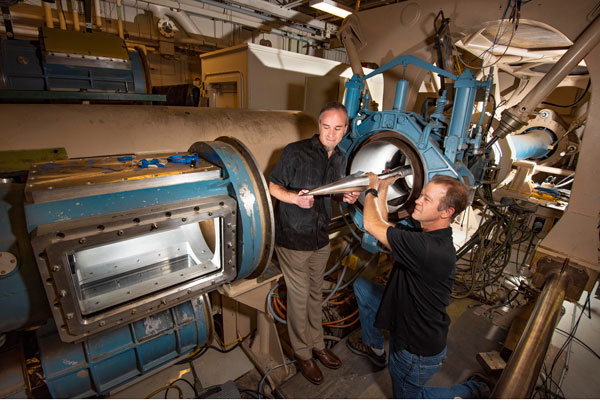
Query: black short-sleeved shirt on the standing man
305, 165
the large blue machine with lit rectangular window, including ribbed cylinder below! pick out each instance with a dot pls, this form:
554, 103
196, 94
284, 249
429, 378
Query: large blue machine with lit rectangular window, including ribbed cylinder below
123, 252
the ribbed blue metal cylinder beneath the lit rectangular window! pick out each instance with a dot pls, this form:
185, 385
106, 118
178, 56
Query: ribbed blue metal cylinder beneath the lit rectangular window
105, 362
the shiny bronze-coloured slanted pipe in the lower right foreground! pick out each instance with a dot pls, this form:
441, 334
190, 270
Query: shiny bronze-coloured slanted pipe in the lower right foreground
523, 368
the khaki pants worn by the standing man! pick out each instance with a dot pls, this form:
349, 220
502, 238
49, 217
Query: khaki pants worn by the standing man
303, 274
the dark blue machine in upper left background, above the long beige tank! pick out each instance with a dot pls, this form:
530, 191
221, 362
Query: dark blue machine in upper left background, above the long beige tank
73, 65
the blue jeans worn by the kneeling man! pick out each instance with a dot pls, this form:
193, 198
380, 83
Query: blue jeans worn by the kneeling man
409, 372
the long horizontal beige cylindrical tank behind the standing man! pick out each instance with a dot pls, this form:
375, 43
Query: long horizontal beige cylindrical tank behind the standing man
93, 130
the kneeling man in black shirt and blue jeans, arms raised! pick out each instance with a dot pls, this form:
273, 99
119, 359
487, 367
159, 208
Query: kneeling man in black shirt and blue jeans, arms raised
412, 306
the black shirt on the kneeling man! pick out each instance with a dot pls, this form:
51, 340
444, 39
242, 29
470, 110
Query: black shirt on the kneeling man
413, 307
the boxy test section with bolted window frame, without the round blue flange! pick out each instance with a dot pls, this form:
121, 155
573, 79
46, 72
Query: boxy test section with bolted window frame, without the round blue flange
100, 268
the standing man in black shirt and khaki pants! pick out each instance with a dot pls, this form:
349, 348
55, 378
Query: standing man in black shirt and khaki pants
301, 237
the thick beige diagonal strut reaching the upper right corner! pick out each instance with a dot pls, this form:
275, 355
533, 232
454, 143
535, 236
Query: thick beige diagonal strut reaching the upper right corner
517, 116
